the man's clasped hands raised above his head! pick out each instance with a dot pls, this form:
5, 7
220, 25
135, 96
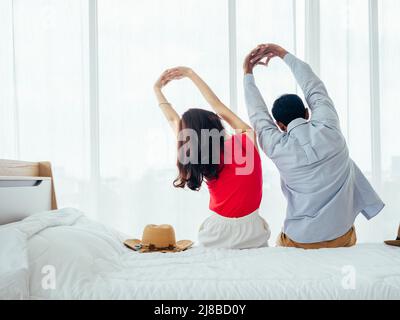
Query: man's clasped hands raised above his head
262, 55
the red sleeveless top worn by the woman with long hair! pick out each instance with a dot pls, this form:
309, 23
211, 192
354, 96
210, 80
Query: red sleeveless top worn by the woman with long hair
238, 190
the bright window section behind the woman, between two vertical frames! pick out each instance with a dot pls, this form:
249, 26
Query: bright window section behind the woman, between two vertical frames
137, 159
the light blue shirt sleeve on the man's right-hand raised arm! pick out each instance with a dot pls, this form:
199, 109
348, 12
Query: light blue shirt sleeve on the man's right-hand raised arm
314, 90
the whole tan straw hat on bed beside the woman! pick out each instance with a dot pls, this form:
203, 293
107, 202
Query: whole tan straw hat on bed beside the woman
158, 238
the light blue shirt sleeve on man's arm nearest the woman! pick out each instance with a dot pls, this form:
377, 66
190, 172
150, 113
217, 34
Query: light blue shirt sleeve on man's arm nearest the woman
267, 132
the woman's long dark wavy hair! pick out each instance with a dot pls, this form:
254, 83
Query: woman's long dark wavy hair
192, 174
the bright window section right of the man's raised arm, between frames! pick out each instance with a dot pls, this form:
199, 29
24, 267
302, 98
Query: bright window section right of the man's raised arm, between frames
345, 70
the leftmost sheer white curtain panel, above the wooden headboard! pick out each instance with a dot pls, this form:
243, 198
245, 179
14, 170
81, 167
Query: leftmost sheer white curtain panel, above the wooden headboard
44, 89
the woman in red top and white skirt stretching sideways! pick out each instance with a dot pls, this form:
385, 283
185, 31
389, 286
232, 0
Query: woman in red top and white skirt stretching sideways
229, 165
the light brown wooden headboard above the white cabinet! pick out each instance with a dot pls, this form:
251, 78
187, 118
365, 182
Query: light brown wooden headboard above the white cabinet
14, 168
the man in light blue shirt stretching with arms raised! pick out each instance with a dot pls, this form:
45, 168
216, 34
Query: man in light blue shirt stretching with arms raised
324, 188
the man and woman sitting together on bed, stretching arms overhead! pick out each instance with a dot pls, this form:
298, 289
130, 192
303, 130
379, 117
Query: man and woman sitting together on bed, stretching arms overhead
324, 188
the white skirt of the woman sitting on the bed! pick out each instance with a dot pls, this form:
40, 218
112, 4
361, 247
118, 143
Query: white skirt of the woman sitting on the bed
250, 231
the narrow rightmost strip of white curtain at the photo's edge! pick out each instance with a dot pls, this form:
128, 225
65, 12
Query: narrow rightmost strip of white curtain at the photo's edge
389, 12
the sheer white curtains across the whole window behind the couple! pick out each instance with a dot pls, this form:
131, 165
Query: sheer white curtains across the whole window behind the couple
46, 112
